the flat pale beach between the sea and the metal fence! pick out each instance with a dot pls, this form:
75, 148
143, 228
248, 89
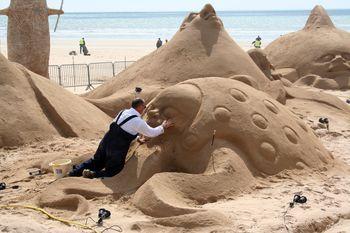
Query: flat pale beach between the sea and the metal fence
101, 50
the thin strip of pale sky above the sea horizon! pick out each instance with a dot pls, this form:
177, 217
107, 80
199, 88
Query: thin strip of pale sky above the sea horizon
189, 5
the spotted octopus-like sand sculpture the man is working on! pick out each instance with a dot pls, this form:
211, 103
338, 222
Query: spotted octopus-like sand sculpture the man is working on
172, 175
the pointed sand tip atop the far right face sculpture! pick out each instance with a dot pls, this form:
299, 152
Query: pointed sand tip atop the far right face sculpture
318, 18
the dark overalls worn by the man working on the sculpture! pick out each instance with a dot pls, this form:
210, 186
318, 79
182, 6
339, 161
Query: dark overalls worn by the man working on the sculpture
110, 156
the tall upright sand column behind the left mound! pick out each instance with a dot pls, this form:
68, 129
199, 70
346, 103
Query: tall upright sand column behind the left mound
28, 35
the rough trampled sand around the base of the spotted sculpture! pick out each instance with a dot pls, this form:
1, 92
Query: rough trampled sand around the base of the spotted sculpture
261, 210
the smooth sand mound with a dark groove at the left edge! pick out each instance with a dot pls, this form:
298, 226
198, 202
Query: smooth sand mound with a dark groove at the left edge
33, 108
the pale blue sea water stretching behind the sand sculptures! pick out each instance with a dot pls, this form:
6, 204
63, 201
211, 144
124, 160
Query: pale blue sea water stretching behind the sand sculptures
243, 26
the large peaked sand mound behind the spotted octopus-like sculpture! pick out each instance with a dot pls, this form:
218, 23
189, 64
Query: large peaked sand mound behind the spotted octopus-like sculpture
201, 48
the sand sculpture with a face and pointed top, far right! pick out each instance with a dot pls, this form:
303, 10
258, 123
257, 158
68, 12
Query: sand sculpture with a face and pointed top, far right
318, 49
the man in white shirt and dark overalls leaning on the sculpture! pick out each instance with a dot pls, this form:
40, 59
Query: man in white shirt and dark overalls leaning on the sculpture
111, 153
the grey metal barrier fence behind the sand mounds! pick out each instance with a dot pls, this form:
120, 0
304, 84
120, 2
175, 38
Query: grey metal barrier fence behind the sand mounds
75, 75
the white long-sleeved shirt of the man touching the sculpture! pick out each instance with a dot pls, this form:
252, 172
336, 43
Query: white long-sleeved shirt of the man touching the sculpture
138, 125
